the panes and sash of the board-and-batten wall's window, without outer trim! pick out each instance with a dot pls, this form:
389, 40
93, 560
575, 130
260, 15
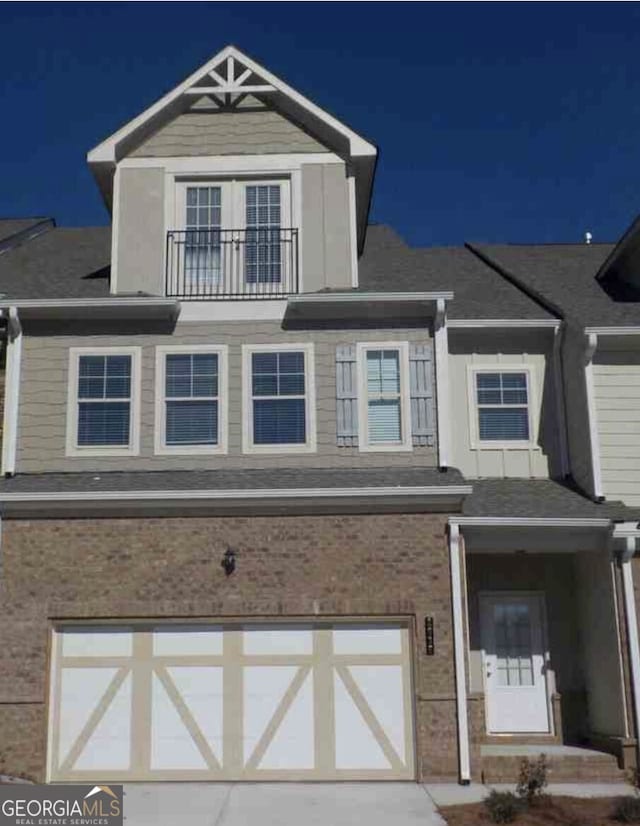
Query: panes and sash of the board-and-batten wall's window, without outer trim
502, 403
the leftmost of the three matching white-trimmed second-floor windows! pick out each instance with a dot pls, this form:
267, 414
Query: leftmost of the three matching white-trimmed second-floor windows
103, 401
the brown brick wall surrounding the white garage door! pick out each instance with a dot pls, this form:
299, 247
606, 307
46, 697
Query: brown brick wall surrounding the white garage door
293, 566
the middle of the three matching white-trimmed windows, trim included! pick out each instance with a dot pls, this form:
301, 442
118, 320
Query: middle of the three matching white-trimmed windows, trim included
191, 399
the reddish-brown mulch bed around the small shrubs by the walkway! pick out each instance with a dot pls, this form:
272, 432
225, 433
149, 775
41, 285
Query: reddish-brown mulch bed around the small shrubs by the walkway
552, 811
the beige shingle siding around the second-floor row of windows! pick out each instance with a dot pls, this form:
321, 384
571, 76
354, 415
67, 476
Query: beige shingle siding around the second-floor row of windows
43, 408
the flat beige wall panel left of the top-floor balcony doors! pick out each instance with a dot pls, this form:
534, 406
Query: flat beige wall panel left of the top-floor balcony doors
141, 231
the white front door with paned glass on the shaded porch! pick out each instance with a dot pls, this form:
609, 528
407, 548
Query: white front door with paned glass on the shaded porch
514, 663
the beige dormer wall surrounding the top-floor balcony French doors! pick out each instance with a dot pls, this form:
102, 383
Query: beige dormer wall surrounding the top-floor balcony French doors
320, 209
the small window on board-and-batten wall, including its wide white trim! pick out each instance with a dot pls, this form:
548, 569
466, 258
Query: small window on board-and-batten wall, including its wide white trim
502, 407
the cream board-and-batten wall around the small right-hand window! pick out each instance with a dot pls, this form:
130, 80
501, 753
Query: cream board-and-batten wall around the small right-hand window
478, 348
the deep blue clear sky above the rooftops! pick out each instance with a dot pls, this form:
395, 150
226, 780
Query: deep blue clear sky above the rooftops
495, 121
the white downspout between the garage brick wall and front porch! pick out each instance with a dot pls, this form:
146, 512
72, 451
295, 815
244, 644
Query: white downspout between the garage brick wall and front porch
457, 603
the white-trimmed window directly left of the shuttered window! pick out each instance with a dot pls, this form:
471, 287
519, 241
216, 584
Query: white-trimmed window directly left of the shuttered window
279, 398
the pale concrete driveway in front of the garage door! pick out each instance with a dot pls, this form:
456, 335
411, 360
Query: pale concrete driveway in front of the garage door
278, 804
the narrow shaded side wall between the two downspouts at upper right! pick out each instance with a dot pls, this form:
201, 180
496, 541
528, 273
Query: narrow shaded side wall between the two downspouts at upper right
578, 436
